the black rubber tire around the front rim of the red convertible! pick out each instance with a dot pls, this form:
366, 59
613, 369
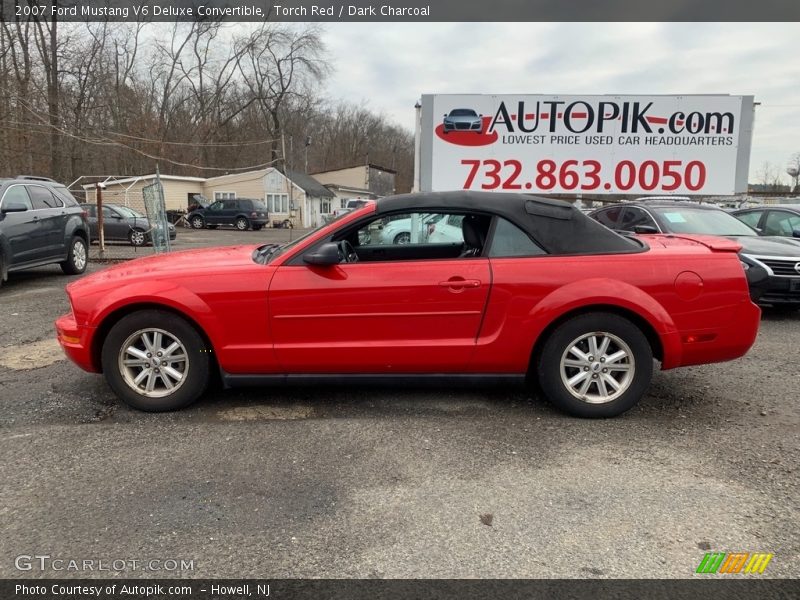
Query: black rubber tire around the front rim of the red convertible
195, 370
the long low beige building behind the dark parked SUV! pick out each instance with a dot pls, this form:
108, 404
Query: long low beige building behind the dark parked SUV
298, 198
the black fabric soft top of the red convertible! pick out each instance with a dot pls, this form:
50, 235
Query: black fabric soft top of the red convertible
557, 226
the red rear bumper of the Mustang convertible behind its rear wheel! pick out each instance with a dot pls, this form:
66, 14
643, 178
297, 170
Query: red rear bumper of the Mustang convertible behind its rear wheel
719, 344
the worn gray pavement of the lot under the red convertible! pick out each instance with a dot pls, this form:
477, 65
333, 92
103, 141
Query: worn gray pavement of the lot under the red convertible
369, 482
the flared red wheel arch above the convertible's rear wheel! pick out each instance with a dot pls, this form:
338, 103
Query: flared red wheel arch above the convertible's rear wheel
615, 293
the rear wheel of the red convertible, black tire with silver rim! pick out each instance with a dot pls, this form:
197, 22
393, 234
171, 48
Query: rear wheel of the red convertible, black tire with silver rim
623, 336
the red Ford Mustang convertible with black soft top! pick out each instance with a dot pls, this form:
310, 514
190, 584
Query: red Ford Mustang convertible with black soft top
533, 291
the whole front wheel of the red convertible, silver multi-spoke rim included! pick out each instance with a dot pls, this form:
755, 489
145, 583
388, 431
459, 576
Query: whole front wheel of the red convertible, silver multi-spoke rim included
155, 361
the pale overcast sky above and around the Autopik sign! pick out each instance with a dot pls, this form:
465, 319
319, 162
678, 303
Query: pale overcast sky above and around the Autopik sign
389, 66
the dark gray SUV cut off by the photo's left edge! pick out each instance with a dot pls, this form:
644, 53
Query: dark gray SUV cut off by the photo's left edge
40, 224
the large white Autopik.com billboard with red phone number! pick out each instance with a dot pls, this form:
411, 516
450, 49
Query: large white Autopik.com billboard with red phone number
690, 145
